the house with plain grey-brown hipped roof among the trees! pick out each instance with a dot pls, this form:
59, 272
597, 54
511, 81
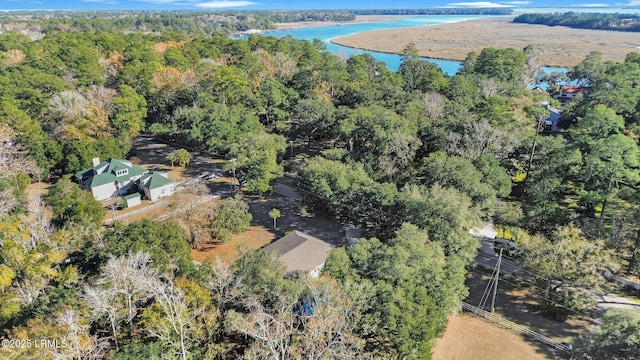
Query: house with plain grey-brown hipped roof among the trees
301, 253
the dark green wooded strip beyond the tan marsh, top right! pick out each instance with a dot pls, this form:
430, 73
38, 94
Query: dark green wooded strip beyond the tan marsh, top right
594, 21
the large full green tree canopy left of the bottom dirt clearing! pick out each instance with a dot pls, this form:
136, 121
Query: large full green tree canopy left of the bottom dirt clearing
410, 286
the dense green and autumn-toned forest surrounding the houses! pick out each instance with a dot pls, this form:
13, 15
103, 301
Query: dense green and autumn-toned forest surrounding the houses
414, 157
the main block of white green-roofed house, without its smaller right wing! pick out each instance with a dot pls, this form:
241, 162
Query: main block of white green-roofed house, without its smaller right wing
111, 177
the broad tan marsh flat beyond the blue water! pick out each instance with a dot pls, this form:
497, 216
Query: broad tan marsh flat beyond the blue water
556, 45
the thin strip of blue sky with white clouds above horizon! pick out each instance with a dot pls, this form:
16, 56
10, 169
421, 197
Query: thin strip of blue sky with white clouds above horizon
292, 4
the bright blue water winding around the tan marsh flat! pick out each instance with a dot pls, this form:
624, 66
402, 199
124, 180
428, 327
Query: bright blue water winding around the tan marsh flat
326, 33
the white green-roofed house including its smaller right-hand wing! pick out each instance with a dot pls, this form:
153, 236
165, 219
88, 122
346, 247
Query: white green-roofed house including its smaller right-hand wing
115, 177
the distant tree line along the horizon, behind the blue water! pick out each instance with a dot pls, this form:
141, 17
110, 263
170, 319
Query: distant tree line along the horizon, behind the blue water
196, 23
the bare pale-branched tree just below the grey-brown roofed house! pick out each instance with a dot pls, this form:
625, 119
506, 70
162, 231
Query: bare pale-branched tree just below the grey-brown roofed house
314, 321
